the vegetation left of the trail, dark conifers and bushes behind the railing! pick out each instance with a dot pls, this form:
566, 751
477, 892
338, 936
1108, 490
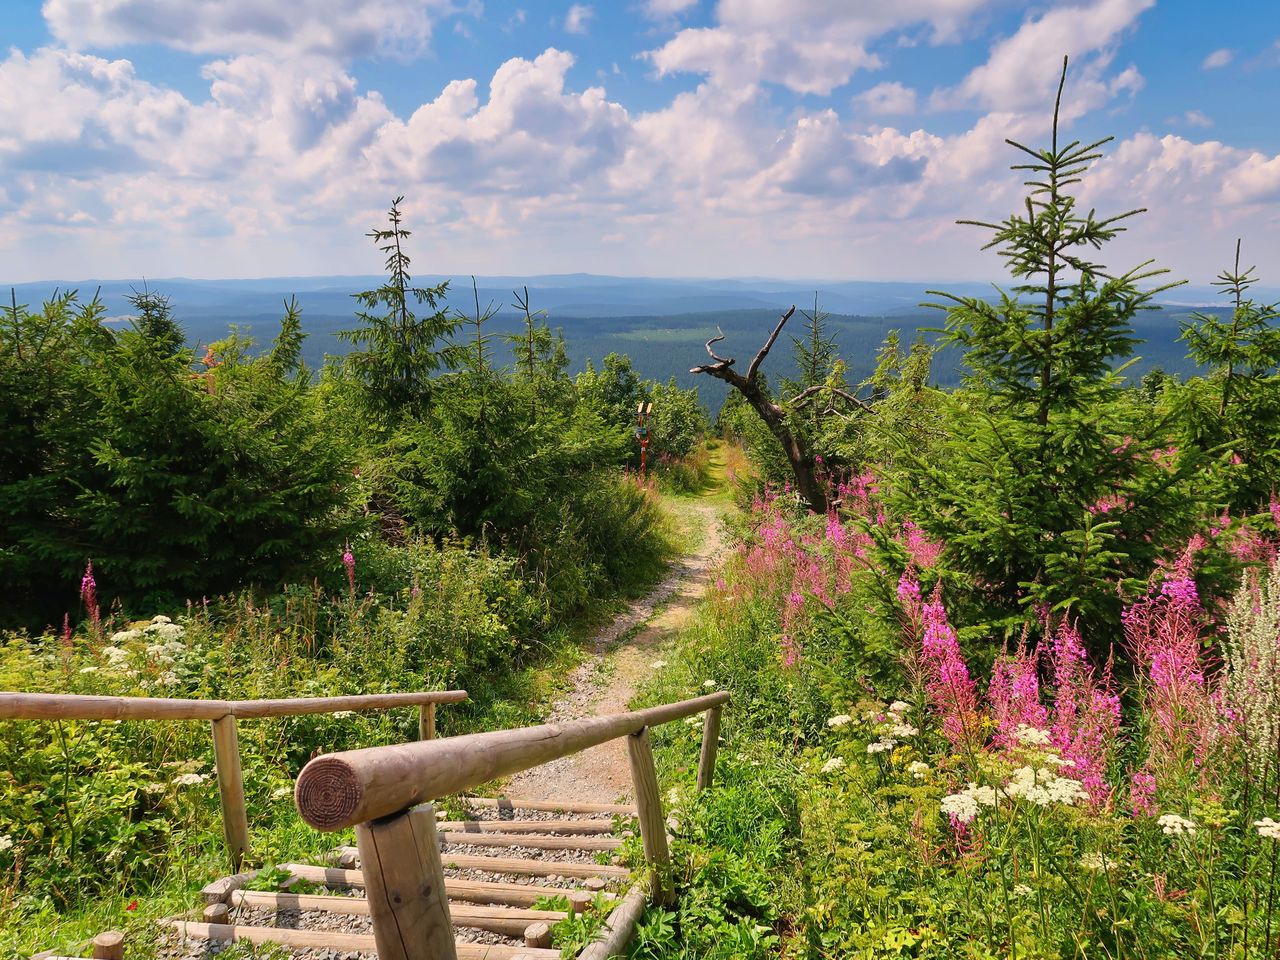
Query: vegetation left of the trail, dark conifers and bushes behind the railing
237, 527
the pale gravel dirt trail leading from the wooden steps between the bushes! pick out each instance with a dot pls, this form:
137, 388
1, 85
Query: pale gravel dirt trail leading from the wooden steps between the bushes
609, 679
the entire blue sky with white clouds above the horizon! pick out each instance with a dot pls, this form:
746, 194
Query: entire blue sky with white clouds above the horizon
788, 139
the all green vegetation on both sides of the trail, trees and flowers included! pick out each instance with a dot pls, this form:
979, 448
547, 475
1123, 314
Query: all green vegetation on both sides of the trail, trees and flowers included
1013, 691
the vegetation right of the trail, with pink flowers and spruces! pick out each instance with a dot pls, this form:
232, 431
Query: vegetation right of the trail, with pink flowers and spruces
1016, 691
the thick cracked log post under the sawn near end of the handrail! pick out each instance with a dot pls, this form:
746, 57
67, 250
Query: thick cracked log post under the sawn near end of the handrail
405, 885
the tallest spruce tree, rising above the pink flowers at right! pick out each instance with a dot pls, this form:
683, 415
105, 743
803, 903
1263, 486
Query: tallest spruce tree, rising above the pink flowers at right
1050, 488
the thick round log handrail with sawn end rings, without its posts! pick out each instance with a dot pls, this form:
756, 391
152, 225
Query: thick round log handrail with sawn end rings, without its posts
344, 789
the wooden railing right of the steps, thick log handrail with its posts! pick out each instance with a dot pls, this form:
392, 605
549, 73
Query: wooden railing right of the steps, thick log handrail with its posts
386, 793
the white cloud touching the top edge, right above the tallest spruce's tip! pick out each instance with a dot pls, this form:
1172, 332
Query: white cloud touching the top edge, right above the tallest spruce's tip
1022, 71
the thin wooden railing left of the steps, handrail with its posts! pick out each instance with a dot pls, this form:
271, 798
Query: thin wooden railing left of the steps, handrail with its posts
223, 716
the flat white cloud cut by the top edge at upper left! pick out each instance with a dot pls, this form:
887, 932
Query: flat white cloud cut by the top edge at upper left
342, 29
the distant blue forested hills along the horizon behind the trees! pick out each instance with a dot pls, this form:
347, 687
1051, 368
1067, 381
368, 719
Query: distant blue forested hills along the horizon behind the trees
660, 323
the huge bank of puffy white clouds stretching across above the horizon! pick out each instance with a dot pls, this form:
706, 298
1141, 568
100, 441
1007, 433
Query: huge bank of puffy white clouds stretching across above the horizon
284, 164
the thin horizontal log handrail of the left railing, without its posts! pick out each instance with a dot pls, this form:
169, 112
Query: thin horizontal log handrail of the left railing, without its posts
20, 706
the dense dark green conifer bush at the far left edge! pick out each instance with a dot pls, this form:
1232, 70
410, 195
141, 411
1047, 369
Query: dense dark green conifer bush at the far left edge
176, 483
